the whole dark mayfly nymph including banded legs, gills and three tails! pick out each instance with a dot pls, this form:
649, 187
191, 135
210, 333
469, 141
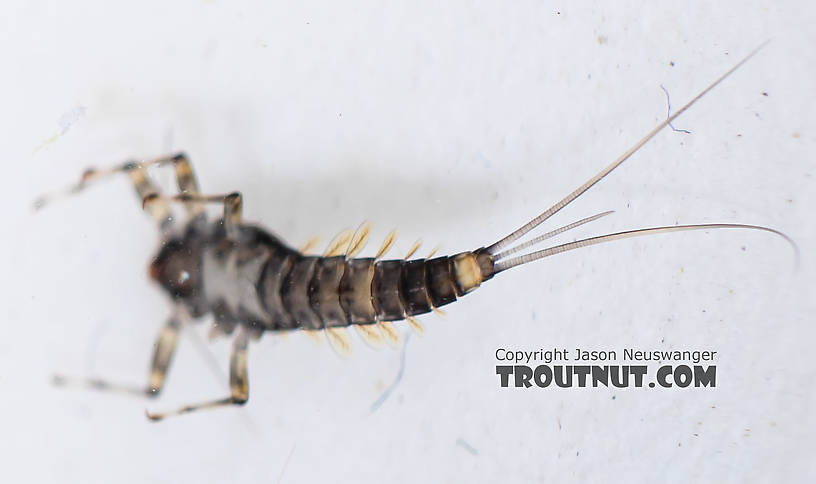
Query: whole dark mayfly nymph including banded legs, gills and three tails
252, 282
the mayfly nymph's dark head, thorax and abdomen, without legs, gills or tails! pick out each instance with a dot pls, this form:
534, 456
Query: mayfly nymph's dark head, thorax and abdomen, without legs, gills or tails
244, 275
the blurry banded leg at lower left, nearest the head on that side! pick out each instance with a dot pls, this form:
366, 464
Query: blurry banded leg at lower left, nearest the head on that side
165, 347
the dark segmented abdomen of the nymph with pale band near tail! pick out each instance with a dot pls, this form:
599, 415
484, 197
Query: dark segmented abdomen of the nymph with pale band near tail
310, 292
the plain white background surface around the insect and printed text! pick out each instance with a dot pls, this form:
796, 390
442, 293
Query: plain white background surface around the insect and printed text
453, 123
